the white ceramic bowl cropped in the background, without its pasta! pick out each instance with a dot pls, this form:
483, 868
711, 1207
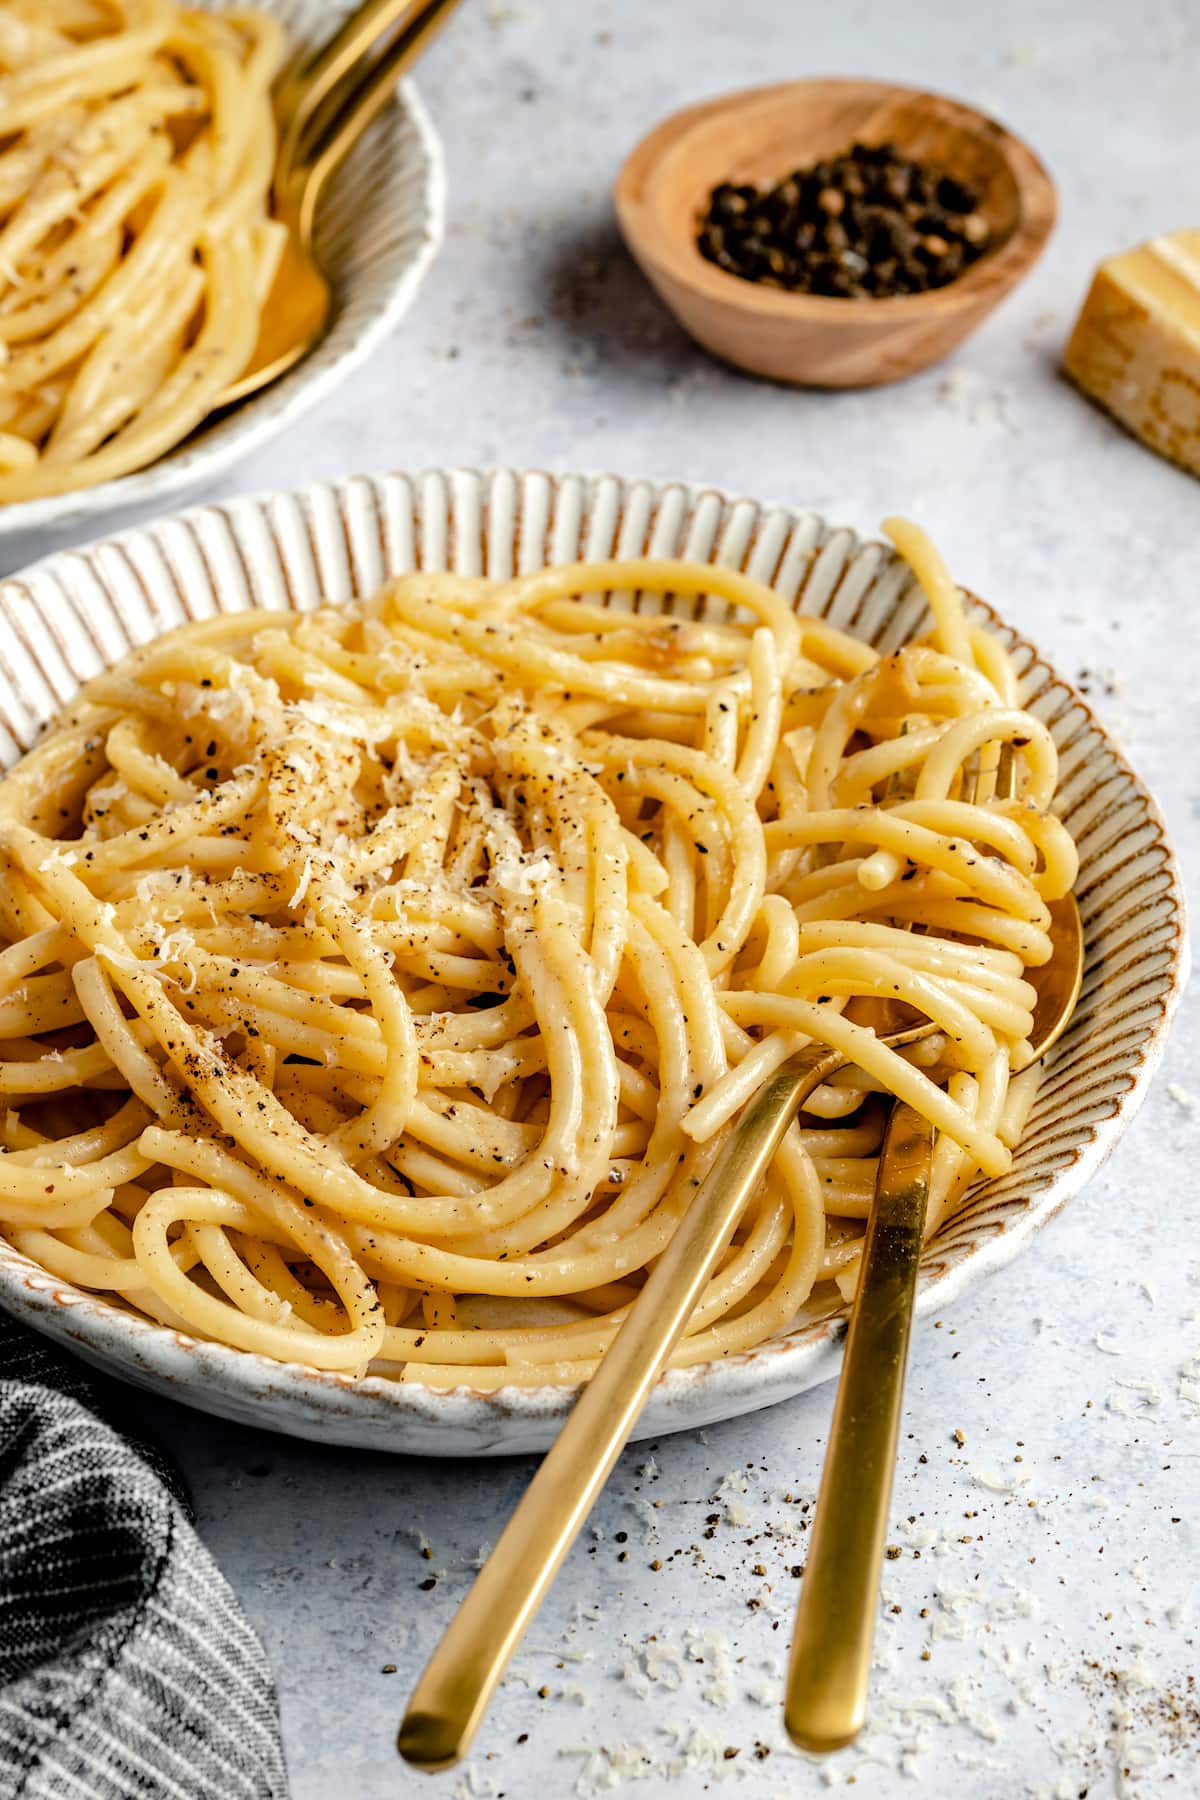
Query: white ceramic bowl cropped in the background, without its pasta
379, 229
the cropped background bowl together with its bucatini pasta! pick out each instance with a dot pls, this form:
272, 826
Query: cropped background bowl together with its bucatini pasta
138, 246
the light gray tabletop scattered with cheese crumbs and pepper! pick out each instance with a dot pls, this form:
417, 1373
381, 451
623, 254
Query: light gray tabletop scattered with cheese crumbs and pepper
1059, 1615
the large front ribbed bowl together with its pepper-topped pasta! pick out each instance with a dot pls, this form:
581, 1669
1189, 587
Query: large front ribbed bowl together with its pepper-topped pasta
407, 881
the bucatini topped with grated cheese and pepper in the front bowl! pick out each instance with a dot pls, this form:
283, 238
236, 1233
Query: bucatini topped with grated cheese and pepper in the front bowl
381, 984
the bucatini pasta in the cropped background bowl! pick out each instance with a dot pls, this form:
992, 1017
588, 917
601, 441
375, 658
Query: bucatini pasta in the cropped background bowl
138, 147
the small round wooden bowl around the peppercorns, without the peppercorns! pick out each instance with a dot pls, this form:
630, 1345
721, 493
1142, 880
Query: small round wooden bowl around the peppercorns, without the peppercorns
760, 136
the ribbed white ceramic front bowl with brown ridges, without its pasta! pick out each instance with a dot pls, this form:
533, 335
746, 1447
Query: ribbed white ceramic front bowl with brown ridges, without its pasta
75, 613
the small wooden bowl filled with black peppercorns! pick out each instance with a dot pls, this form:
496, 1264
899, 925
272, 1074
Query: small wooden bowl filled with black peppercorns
834, 233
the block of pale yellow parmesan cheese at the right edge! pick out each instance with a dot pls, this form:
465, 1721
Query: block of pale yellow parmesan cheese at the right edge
1136, 346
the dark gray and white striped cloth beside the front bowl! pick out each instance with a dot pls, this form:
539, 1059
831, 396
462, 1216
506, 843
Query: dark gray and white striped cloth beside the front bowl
127, 1666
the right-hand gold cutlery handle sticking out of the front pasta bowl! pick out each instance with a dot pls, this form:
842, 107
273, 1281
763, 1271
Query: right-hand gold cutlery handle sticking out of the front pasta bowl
830, 1671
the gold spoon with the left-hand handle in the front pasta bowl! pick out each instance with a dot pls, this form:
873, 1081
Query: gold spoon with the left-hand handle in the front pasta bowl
452, 1695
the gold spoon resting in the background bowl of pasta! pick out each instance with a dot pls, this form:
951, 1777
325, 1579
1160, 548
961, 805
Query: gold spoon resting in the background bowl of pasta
323, 109
